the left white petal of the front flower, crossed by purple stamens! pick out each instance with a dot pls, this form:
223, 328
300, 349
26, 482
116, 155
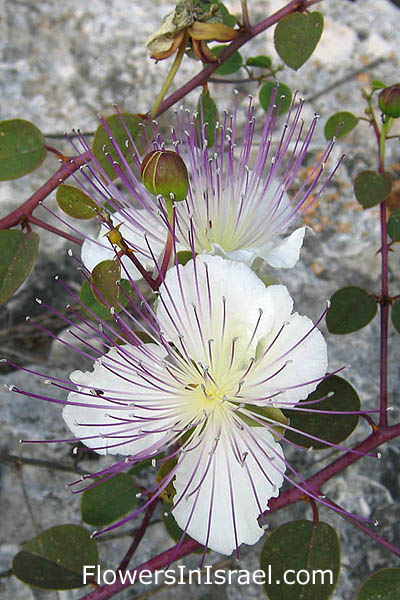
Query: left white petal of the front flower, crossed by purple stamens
103, 425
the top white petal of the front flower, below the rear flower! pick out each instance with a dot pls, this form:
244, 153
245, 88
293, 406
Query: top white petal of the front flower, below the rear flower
186, 294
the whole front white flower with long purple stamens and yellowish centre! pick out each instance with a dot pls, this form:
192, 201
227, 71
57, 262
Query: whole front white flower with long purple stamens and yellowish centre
228, 353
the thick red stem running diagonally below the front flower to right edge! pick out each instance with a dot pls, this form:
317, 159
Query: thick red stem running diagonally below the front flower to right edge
293, 495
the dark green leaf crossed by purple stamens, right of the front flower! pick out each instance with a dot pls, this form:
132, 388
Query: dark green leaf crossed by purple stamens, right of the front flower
330, 427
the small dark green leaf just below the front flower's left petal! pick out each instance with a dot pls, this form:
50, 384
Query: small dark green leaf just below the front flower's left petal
109, 501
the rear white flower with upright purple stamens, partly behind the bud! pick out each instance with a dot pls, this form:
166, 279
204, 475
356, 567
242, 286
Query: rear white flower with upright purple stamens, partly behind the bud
240, 204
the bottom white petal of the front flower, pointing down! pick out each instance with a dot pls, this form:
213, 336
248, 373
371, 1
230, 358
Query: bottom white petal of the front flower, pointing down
226, 503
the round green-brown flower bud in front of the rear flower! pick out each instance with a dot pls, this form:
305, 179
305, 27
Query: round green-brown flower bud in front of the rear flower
164, 172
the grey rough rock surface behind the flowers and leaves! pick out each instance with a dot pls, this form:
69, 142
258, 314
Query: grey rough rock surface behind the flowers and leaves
62, 63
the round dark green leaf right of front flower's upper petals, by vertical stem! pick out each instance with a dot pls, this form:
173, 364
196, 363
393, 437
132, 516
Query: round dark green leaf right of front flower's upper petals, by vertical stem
351, 309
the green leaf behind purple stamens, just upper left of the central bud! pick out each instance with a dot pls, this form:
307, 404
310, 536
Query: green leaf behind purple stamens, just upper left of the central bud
102, 142
